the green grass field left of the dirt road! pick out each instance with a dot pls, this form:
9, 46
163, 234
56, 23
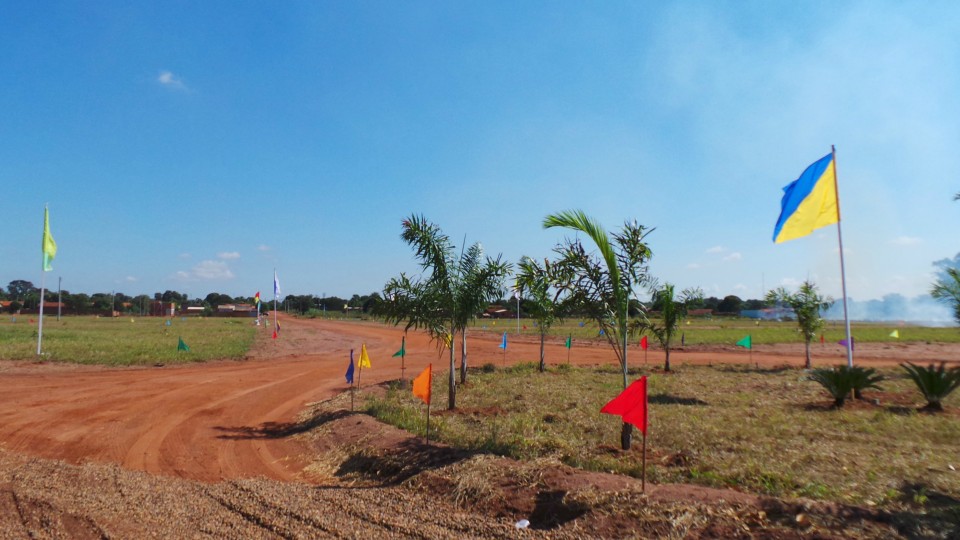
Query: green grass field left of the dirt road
125, 341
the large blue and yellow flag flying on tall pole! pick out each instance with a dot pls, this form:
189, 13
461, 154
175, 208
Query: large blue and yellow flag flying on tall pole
809, 202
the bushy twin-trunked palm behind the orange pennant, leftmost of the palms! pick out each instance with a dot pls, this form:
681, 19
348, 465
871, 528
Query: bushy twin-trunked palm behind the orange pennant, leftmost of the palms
444, 301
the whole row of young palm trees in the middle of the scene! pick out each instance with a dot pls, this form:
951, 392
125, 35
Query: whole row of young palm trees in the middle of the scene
455, 286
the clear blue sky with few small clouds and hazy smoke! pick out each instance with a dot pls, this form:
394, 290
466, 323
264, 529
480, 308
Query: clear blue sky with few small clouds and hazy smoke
196, 146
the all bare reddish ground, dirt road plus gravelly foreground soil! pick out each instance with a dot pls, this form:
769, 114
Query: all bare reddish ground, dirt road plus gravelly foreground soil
235, 449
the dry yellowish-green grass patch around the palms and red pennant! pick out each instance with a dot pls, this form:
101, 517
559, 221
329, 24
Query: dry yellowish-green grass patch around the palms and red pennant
768, 431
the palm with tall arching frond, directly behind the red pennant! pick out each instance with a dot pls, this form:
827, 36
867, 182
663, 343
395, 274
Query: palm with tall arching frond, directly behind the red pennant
603, 287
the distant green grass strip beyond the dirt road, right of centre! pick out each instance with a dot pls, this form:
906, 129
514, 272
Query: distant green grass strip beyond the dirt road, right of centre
727, 331
